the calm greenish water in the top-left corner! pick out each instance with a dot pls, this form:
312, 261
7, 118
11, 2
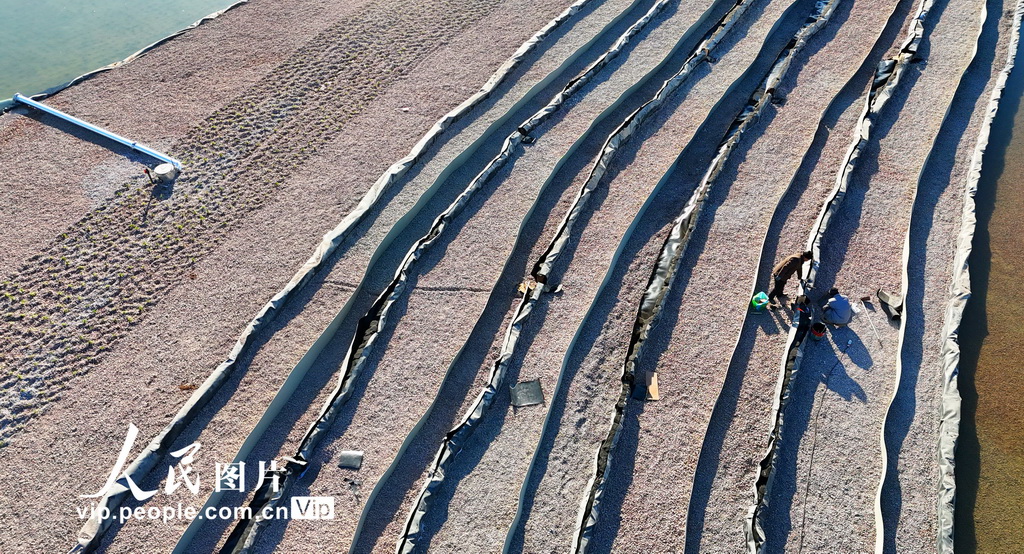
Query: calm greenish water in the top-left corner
45, 44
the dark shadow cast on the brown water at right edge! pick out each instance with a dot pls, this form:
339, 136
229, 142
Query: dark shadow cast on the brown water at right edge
974, 328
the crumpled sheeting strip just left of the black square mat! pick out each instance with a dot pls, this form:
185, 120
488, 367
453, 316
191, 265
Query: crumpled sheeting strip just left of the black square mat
456, 439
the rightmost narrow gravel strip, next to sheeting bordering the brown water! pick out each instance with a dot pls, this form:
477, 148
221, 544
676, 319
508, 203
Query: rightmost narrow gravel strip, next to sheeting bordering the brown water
912, 431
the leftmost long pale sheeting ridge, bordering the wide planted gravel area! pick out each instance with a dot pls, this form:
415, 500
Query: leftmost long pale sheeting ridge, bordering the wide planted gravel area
93, 532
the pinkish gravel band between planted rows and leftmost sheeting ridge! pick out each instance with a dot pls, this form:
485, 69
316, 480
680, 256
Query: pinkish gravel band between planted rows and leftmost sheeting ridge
198, 322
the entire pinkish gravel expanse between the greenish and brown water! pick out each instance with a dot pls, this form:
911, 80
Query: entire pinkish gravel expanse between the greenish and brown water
120, 299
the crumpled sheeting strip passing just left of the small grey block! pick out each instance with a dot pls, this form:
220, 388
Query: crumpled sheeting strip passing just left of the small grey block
244, 537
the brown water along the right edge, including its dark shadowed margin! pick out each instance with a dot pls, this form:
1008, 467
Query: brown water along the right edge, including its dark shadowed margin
991, 451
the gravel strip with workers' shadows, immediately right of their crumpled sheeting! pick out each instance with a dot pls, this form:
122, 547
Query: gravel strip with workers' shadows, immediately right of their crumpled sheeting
824, 496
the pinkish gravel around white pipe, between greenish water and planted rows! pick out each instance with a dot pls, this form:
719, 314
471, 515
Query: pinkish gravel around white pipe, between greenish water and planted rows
33, 154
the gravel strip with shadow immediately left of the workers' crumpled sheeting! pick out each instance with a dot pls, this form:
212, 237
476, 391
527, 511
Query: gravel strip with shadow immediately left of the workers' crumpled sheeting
738, 432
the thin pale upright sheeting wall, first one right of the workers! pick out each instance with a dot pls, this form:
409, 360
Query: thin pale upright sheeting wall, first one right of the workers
880, 528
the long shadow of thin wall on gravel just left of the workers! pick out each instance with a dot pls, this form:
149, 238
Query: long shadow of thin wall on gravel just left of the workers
728, 403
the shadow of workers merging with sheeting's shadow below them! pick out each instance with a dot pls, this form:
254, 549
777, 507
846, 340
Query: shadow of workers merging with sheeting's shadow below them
829, 362
